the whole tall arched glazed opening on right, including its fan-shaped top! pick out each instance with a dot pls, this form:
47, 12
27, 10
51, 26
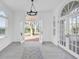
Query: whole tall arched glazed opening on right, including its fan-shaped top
69, 27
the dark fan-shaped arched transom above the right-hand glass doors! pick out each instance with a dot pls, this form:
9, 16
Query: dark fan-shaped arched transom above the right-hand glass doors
69, 7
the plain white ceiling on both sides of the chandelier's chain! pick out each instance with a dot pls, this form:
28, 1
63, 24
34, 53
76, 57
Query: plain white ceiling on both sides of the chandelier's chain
24, 5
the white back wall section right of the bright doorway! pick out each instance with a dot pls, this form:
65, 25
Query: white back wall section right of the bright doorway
46, 18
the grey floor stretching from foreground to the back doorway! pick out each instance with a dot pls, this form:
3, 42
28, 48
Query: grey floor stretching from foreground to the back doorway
30, 50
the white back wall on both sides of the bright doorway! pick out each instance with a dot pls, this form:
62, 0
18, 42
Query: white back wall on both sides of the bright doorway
46, 23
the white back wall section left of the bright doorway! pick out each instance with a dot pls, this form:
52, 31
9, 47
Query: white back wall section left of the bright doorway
18, 20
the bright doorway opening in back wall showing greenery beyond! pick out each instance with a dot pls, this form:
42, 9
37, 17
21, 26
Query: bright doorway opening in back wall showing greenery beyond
31, 31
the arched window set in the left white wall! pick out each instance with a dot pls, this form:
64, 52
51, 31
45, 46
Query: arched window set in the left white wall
2, 24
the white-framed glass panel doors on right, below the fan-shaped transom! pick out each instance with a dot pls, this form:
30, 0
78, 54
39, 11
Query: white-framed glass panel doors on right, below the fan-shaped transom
69, 33
